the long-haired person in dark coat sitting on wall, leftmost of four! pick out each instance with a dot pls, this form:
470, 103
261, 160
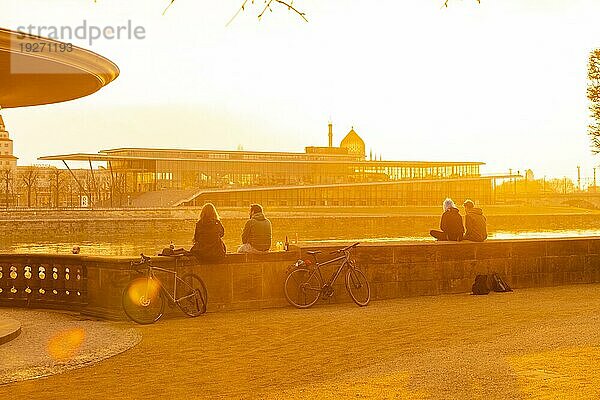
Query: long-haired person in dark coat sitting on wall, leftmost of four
208, 243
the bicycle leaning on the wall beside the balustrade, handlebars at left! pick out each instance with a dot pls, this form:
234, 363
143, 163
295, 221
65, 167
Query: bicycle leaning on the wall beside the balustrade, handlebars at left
144, 298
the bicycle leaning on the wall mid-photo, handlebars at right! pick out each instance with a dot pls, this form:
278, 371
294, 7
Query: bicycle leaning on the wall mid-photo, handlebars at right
304, 283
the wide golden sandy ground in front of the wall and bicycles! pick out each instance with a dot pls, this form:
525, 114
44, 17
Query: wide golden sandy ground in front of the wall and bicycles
536, 343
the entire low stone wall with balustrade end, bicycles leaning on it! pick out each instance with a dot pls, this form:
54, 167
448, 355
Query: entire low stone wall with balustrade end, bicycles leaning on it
256, 281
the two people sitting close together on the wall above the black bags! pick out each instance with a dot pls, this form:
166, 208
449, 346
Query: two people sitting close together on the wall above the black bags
451, 224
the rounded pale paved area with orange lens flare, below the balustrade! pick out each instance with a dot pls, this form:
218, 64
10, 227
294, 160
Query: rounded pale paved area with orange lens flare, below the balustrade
55, 342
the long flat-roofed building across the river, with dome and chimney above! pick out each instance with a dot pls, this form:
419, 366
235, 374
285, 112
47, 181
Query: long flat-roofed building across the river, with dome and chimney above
321, 176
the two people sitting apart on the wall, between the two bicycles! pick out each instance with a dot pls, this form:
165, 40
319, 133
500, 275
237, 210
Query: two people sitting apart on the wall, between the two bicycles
208, 236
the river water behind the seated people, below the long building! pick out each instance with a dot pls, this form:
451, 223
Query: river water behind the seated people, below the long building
130, 238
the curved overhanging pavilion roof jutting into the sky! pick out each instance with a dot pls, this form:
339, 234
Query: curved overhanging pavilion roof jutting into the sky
48, 75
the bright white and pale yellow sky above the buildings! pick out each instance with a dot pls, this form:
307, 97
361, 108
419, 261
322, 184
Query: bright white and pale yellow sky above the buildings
502, 82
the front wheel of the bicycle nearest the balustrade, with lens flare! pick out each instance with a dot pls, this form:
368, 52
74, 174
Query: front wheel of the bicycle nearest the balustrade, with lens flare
143, 301
